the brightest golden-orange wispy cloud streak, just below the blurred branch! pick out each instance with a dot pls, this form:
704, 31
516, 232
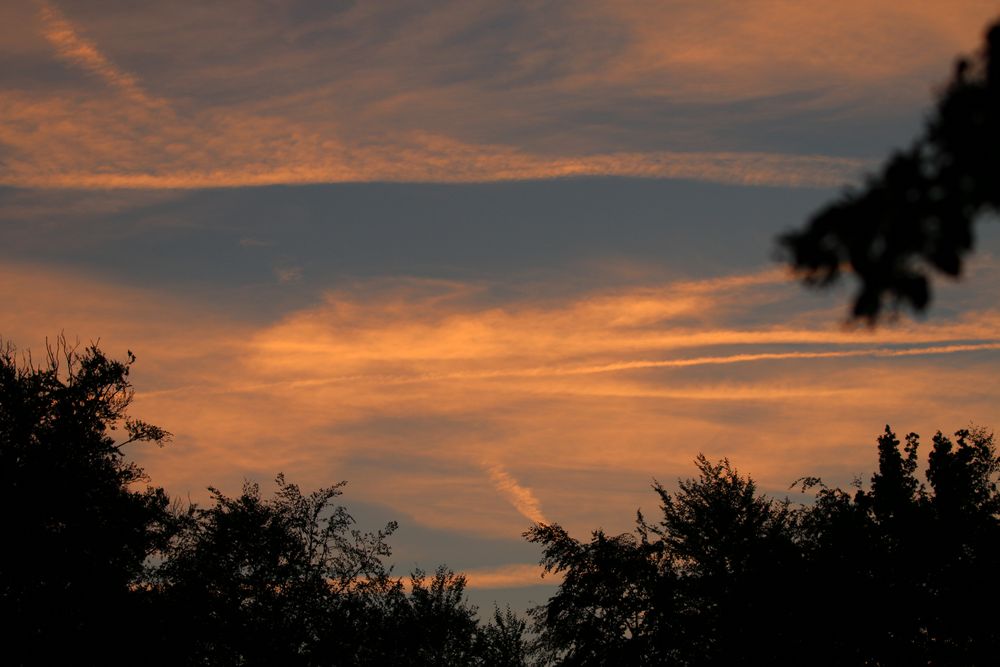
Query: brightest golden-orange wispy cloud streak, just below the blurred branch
439, 336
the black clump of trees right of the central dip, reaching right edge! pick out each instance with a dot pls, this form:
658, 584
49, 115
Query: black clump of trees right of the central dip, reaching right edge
723, 577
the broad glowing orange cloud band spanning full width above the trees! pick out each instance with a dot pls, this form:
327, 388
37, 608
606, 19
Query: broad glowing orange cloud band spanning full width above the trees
407, 388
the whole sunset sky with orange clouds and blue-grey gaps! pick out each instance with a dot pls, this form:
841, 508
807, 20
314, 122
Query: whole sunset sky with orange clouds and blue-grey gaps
492, 263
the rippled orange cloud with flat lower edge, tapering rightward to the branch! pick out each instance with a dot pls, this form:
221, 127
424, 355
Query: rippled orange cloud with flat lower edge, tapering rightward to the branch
101, 144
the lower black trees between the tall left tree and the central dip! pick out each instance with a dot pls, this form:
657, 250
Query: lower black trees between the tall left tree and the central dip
290, 581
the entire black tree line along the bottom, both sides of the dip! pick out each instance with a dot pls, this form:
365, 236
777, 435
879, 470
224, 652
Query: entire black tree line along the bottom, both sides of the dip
101, 568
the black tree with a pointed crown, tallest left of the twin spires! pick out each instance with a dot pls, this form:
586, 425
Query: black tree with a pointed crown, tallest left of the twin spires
736, 562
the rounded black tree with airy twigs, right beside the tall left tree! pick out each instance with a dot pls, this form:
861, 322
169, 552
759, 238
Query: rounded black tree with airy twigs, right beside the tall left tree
265, 581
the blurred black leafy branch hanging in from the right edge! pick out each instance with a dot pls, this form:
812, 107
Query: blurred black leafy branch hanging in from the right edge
917, 214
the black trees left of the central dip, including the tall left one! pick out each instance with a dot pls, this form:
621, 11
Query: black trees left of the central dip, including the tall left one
100, 568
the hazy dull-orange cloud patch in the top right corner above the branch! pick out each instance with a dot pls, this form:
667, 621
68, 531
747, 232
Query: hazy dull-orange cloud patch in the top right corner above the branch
732, 51
